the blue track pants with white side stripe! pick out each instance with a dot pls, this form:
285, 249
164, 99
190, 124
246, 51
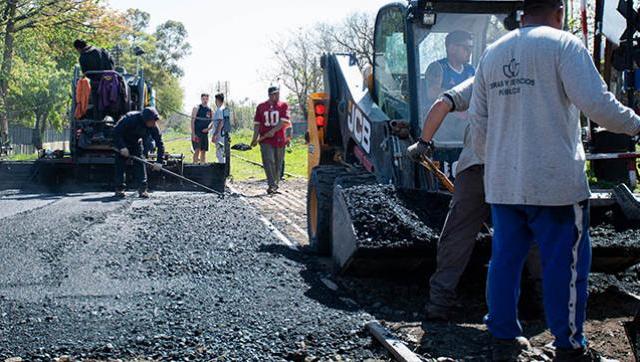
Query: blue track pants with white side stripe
562, 235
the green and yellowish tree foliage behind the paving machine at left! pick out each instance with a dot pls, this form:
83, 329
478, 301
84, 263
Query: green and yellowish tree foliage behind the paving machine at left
38, 58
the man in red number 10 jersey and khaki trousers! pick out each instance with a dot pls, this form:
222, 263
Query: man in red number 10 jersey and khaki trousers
271, 120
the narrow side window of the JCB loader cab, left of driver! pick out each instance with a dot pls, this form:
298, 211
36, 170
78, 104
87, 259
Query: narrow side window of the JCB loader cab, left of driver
391, 69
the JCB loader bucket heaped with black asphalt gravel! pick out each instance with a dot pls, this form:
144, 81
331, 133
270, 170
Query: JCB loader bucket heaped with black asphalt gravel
381, 230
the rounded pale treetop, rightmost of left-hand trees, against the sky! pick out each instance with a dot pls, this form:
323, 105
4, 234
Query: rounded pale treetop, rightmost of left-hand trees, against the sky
172, 46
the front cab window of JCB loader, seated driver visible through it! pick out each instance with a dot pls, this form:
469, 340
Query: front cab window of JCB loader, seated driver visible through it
448, 54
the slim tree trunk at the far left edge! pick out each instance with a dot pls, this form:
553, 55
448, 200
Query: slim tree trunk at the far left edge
5, 69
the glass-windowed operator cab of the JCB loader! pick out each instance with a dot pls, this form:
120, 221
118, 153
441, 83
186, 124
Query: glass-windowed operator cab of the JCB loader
410, 42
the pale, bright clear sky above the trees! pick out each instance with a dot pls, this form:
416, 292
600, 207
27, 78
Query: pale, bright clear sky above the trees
230, 39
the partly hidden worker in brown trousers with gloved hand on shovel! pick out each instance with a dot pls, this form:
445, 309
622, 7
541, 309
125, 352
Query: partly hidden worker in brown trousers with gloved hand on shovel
468, 210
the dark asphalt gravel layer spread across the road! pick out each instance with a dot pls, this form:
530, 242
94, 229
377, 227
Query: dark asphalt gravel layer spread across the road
179, 277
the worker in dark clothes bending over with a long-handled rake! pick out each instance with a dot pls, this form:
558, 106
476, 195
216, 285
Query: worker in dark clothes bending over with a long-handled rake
129, 136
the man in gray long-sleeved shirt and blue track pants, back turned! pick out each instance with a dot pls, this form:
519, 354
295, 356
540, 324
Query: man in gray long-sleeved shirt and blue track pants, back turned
527, 130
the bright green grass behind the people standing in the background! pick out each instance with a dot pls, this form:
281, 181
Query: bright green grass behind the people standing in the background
295, 157
